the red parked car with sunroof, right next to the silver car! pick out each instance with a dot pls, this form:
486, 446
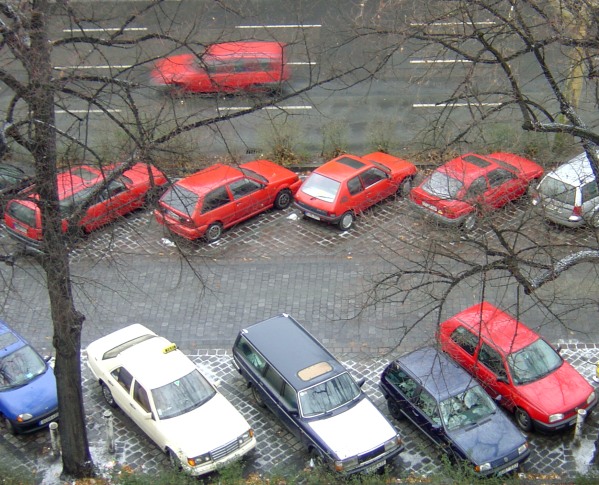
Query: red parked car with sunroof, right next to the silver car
457, 191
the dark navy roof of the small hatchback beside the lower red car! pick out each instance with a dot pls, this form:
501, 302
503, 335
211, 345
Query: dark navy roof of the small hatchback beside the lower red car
436, 372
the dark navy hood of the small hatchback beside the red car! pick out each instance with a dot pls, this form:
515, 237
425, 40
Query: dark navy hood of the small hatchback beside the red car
492, 439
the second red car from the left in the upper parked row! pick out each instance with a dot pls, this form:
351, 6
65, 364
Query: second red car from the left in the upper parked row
214, 199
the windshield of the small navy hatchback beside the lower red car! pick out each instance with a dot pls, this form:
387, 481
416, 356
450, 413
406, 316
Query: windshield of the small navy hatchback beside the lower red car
467, 408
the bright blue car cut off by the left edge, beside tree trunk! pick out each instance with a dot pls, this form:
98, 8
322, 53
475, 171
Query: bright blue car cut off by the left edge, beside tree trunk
28, 399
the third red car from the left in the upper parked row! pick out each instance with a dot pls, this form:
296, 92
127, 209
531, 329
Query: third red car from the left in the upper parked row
348, 185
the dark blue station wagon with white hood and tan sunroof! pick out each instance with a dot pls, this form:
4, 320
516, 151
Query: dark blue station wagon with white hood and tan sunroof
292, 374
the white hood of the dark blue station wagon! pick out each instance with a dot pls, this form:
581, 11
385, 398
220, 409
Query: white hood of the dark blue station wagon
355, 431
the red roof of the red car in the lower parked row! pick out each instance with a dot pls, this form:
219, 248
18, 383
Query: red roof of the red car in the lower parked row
496, 326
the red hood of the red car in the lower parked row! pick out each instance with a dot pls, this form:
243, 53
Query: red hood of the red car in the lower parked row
562, 391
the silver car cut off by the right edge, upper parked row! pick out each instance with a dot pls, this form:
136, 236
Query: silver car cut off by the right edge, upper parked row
569, 194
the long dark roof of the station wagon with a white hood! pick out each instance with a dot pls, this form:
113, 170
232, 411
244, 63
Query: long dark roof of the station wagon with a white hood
290, 348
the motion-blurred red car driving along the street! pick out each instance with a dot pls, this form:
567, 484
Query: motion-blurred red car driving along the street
226, 67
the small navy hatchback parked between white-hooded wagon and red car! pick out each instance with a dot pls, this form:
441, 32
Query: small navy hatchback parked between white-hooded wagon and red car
449, 406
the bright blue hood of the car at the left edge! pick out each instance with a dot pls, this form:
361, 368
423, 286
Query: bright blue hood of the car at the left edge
38, 397
